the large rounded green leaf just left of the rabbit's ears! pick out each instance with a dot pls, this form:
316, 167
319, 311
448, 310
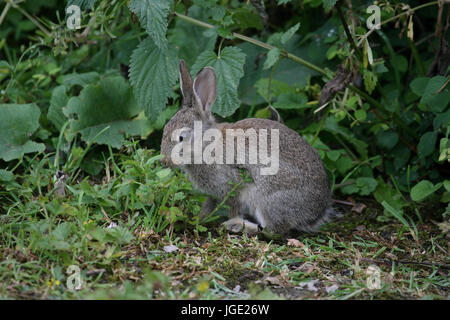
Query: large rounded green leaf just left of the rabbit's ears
108, 104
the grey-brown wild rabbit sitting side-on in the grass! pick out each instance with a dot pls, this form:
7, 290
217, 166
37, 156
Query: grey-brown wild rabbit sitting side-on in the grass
296, 198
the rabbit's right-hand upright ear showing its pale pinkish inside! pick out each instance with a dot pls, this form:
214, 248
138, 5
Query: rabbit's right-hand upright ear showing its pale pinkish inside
205, 89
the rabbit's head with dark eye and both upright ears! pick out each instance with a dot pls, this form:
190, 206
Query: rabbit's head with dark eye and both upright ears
198, 98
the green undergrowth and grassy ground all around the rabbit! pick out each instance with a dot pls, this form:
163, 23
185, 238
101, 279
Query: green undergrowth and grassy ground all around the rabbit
81, 115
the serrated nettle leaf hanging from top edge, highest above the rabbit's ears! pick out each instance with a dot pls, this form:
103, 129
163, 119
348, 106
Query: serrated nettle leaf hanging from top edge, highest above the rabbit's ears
153, 17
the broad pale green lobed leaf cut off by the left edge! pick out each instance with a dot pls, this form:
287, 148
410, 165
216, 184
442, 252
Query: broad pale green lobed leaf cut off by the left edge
17, 123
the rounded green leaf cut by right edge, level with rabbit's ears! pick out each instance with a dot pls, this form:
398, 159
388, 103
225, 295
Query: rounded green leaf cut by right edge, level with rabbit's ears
435, 96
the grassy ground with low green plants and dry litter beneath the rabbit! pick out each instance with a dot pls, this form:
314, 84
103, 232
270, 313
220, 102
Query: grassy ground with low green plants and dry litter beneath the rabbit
134, 234
